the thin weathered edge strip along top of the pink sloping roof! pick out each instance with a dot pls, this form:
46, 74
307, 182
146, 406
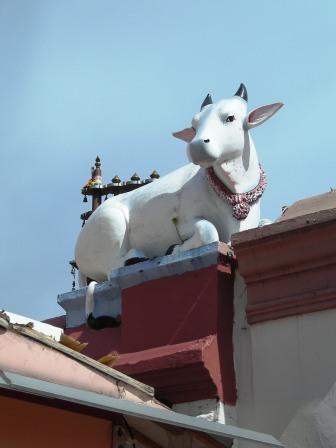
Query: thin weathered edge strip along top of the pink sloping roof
48, 341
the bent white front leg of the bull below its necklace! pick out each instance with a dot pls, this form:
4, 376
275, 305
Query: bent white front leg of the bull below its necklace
204, 232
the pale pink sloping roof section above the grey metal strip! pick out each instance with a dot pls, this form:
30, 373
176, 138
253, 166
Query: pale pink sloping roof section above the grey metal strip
31, 352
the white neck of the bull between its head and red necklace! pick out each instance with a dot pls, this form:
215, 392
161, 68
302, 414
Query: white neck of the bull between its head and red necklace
242, 173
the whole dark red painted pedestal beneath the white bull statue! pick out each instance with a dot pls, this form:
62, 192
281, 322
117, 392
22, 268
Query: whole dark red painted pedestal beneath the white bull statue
176, 335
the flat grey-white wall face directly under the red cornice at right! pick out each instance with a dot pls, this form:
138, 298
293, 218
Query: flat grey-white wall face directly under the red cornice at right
294, 363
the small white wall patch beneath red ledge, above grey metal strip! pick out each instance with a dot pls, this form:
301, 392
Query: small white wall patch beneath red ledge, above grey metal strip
211, 409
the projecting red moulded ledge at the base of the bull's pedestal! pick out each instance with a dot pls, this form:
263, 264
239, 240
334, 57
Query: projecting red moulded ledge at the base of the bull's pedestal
178, 372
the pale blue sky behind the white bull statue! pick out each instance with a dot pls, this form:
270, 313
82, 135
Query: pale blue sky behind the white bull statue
81, 78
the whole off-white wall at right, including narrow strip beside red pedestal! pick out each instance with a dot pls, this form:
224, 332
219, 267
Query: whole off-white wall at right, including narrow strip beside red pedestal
284, 369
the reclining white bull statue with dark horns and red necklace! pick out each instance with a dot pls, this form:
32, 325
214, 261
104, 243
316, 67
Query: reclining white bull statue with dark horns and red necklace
215, 195
